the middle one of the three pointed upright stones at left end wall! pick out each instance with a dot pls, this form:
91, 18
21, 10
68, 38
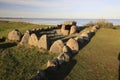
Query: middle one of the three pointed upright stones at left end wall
33, 40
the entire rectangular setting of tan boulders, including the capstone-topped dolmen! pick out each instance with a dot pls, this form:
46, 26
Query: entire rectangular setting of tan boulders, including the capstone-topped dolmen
65, 51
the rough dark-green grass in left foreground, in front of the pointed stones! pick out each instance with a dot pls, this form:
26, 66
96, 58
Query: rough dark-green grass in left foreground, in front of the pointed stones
21, 63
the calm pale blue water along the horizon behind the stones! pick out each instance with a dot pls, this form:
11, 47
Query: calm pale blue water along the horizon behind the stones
80, 22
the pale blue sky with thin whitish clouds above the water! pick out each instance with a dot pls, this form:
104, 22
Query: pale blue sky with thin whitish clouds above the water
107, 9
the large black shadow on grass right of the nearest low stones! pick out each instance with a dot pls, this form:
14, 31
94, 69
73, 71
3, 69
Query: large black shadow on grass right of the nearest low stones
62, 71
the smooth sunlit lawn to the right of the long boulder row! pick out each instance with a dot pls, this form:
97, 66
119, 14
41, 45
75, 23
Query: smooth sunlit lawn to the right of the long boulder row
98, 60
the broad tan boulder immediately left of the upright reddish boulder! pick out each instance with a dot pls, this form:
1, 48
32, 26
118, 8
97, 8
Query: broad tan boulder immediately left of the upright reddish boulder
57, 47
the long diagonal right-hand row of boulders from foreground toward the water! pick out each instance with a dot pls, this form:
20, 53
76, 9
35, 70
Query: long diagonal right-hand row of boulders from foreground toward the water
66, 50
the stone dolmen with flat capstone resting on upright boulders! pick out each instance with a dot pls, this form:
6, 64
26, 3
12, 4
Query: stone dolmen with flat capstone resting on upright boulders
68, 27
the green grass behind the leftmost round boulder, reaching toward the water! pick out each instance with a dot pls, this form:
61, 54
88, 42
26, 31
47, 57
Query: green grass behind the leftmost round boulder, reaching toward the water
7, 26
